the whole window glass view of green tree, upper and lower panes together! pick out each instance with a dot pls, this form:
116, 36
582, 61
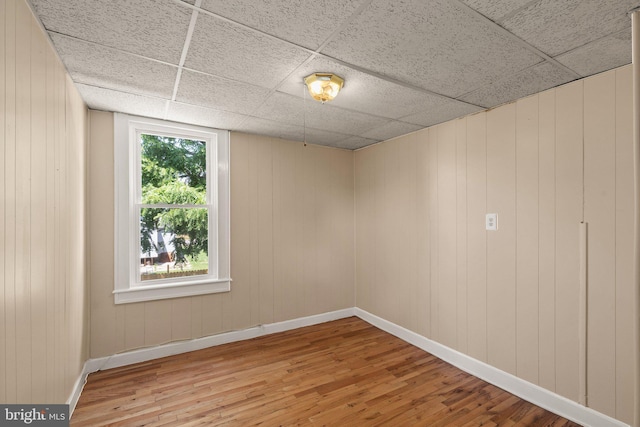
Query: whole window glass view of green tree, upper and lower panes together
173, 214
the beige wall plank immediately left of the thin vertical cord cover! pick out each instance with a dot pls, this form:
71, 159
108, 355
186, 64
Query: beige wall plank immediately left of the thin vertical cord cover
569, 188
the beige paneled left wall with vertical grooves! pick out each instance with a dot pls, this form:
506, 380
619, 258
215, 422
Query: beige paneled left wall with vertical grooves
43, 334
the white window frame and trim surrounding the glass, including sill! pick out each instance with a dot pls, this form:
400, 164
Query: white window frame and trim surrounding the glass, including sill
127, 287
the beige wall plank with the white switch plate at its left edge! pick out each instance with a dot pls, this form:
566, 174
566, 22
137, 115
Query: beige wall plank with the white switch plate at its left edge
501, 248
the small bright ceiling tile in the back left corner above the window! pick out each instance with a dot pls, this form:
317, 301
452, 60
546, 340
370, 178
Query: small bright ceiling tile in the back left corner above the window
98, 98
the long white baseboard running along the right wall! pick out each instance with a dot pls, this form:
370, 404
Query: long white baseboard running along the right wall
530, 392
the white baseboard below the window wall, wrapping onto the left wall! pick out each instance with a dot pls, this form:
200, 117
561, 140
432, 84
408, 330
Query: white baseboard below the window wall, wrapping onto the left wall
151, 353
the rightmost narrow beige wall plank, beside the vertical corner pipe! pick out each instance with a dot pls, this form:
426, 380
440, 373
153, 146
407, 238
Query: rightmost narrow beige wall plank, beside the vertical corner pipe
624, 245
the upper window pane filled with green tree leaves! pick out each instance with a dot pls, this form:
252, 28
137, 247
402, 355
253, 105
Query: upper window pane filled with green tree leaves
173, 170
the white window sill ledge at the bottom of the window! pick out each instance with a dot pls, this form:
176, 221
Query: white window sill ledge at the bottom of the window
171, 290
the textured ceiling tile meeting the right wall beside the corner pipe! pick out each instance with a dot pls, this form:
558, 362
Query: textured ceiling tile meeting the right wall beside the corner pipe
600, 55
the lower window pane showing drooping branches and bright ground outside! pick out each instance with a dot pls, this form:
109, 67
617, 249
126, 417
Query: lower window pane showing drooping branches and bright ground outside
173, 242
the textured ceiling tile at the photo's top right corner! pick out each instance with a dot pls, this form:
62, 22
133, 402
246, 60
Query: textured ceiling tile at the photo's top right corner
556, 27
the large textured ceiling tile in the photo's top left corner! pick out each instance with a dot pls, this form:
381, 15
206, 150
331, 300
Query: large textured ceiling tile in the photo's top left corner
155, 29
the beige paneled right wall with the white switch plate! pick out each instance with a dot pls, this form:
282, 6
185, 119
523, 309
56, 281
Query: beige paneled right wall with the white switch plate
510, 297
